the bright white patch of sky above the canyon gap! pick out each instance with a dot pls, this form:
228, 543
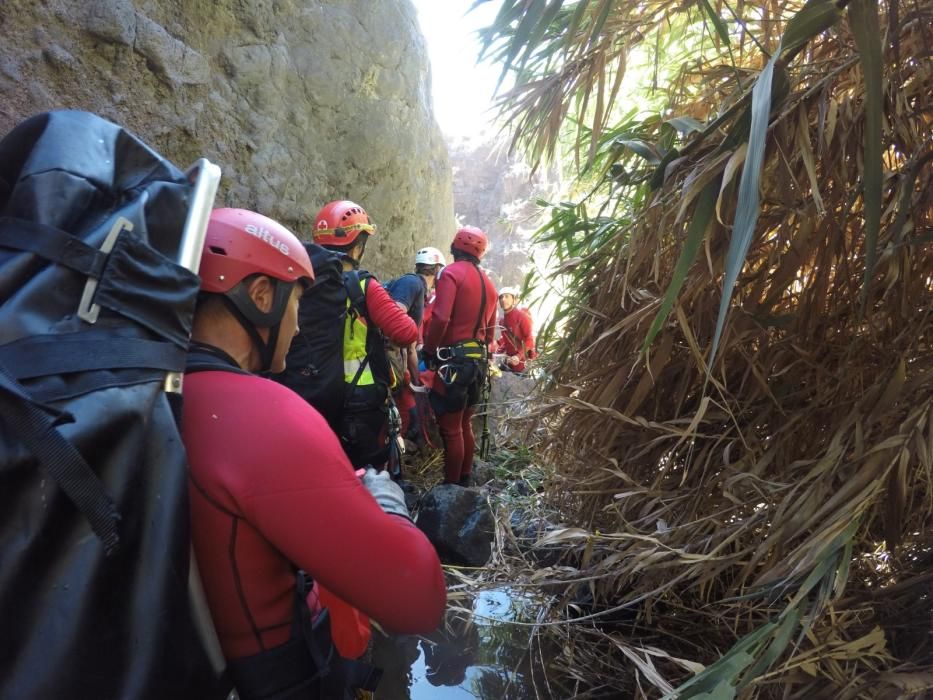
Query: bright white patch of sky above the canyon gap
462, 89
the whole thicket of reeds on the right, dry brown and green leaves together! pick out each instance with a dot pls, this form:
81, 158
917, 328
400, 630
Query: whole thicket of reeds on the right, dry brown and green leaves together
745, 477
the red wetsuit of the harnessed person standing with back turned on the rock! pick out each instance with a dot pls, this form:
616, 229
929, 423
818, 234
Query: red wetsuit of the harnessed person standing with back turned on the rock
455, 315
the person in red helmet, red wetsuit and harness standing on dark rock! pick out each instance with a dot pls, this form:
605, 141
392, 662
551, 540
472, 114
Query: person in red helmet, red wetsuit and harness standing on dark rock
457, 339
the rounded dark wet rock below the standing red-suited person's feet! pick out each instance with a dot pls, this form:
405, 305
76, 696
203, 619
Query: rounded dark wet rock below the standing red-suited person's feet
458, 522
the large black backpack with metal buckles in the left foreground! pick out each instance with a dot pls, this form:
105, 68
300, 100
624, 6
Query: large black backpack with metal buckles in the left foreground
95, 317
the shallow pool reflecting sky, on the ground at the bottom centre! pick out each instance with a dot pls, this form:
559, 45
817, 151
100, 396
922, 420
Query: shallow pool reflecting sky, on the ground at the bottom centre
485, 657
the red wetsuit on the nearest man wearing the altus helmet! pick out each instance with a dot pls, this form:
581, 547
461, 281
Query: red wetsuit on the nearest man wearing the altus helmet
272, 490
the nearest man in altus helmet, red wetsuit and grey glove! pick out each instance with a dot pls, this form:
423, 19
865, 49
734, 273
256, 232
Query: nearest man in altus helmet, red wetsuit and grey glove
272, 491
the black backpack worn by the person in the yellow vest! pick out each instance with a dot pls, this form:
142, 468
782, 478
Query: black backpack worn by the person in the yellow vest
314, 366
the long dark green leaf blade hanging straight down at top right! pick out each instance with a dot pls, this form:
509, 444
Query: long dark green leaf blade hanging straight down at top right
863, 18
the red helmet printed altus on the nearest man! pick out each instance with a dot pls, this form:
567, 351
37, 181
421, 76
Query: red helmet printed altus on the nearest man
240, 243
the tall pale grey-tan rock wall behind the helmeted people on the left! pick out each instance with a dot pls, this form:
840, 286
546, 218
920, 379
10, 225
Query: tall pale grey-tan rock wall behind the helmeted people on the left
299, 102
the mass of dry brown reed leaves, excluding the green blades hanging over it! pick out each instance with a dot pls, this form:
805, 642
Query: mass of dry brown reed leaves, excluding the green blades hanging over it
787, 490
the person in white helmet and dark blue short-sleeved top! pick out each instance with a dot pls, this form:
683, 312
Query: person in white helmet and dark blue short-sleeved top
411, 292
